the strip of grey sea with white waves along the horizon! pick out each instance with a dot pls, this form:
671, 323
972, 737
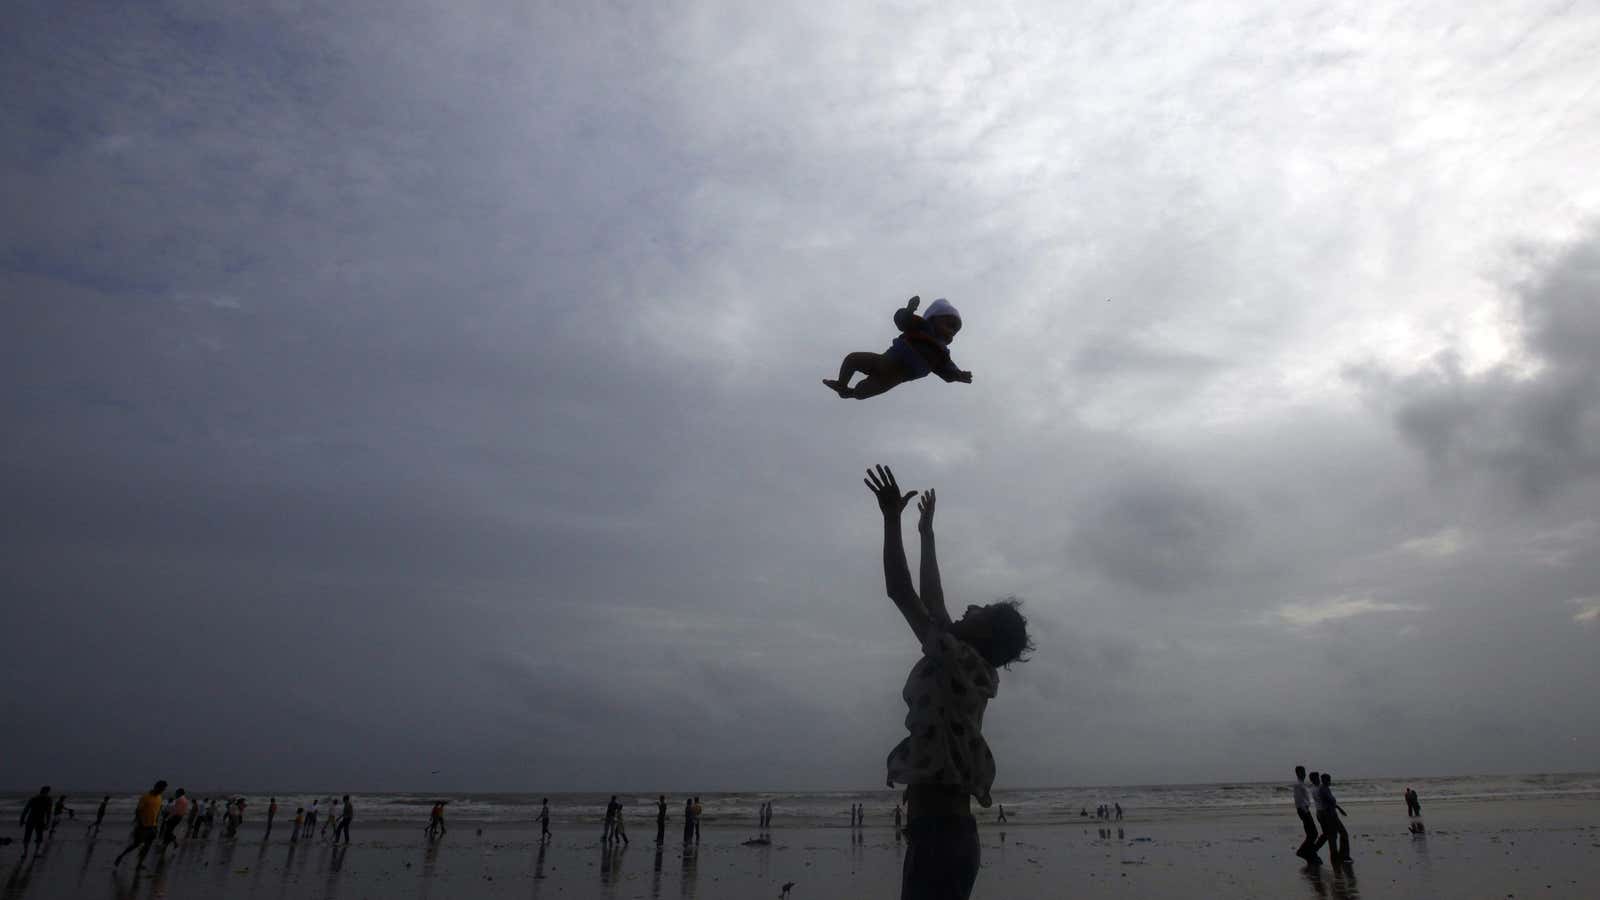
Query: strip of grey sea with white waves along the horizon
825, 810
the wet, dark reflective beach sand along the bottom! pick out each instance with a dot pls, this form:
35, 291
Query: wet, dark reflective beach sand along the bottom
1474, 850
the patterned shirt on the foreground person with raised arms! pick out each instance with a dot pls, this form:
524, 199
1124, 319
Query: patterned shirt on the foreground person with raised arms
946, 696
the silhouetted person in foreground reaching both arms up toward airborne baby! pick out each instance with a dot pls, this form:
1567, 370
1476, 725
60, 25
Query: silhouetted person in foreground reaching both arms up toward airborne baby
945, 760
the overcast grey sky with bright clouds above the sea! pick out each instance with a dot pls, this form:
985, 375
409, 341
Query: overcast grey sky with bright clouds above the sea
394, 388
